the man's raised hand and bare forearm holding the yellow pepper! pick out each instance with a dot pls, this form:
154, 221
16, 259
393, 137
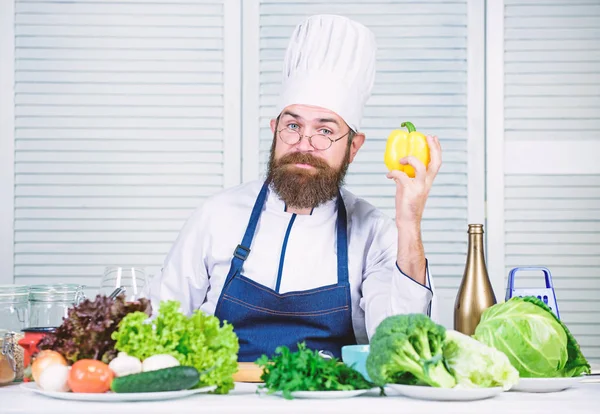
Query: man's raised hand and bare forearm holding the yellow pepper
411, 197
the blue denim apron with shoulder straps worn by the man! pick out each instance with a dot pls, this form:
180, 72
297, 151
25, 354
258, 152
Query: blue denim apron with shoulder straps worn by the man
264, 319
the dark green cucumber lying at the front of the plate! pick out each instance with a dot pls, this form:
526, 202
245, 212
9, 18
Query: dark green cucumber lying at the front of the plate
167, 379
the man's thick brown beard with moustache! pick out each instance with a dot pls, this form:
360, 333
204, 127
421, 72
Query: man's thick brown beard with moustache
302, 188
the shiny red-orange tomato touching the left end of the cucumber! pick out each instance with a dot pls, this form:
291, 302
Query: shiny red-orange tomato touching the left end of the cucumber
91, 376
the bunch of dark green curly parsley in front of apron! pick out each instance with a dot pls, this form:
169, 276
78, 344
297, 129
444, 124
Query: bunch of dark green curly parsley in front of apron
306, 370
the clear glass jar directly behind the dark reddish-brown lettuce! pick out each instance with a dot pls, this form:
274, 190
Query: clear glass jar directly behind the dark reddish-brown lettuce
49, 304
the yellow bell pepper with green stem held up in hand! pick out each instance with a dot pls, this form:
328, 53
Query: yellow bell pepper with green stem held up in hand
402, 144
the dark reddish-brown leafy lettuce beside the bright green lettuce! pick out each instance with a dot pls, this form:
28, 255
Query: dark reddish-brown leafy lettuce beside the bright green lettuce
86, 331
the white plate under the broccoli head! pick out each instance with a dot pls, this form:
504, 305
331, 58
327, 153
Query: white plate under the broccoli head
445, 394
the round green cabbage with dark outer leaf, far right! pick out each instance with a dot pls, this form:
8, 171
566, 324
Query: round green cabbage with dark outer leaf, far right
535, 341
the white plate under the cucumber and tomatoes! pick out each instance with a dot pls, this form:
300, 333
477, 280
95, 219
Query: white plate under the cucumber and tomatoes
116, 397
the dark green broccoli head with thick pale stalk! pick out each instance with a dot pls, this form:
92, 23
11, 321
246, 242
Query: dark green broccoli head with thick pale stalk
408, 349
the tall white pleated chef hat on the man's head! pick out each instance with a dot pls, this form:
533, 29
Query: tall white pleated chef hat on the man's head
330, 63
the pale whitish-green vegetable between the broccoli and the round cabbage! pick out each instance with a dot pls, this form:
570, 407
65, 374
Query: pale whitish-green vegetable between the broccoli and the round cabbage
476, 365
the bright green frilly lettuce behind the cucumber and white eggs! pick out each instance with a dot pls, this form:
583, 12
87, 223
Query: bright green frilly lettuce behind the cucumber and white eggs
198, 341
